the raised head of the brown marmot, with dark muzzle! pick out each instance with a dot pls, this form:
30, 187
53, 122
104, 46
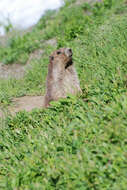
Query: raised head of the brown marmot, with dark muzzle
62, 56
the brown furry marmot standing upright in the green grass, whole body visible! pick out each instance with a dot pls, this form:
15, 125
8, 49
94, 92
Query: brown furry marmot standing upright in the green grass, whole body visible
62, 78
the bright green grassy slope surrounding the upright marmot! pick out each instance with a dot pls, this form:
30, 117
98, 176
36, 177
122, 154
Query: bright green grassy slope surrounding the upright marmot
79, 142
